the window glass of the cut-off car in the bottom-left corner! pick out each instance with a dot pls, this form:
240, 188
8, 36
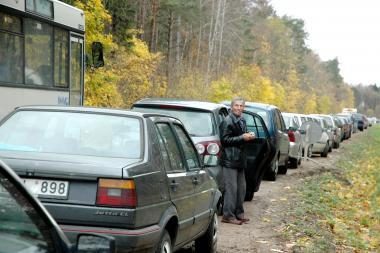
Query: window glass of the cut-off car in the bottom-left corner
21, 227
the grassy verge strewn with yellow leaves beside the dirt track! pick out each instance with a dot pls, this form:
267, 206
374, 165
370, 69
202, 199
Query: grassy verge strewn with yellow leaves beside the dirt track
339, 211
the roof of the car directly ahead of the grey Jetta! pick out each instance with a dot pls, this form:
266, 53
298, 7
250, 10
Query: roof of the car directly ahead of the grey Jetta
195, 104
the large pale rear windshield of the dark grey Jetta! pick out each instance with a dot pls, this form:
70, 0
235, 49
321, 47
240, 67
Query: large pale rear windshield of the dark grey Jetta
72, 133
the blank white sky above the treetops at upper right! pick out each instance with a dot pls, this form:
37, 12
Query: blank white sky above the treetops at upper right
346, 29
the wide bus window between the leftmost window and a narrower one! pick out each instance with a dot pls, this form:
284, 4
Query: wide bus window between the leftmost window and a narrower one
38, 53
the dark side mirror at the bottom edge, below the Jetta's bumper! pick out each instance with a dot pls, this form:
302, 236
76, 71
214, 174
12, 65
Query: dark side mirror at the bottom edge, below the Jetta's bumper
95, 243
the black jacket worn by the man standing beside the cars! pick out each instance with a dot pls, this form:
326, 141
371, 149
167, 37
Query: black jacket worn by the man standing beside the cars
231, 135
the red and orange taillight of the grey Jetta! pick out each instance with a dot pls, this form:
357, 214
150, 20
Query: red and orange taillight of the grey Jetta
116, 193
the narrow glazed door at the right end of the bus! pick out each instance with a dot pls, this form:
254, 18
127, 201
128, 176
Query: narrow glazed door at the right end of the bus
76, 70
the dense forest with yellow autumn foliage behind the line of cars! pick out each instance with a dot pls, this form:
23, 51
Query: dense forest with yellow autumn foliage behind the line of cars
212, 50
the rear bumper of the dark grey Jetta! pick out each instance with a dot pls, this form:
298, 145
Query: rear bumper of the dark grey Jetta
127, 240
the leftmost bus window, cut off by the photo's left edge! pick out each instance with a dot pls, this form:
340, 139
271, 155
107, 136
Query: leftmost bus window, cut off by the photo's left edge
11, 49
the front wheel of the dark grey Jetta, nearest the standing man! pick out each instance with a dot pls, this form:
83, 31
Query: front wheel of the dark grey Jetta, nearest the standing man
208, 241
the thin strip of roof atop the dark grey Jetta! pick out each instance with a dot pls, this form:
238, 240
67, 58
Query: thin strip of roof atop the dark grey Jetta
86, 109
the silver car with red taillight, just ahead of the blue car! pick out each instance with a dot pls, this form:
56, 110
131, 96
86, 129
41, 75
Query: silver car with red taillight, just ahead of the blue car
295, 139
